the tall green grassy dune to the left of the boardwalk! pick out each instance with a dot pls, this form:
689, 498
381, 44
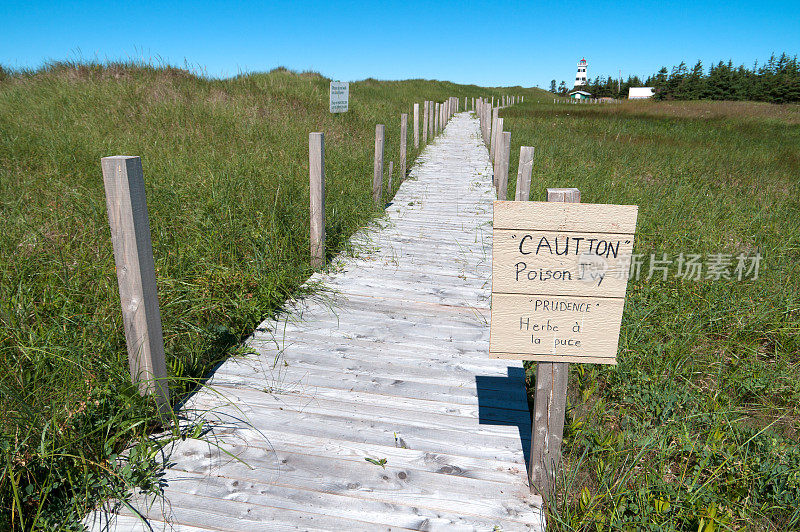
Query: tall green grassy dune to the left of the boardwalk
225, 165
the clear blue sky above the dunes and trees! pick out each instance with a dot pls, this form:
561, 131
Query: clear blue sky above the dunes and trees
487, 43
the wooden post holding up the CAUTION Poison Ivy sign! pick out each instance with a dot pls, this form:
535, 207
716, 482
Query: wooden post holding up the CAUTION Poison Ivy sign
550, 402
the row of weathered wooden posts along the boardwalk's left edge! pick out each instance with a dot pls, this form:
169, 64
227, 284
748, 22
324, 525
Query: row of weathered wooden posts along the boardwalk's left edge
123, 179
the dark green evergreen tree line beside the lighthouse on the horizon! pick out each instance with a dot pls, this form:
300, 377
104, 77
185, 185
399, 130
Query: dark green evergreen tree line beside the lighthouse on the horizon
776, 81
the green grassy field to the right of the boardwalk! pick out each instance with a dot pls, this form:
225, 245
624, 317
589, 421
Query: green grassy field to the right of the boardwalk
698, 423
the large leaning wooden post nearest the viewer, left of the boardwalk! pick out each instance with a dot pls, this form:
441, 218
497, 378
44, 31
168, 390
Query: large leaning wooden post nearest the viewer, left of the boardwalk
123, 179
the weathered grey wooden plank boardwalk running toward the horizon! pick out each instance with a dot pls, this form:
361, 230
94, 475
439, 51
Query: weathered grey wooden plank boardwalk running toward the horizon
390, 362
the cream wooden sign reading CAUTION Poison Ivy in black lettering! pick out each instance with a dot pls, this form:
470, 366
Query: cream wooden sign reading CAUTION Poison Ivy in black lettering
559, 274
